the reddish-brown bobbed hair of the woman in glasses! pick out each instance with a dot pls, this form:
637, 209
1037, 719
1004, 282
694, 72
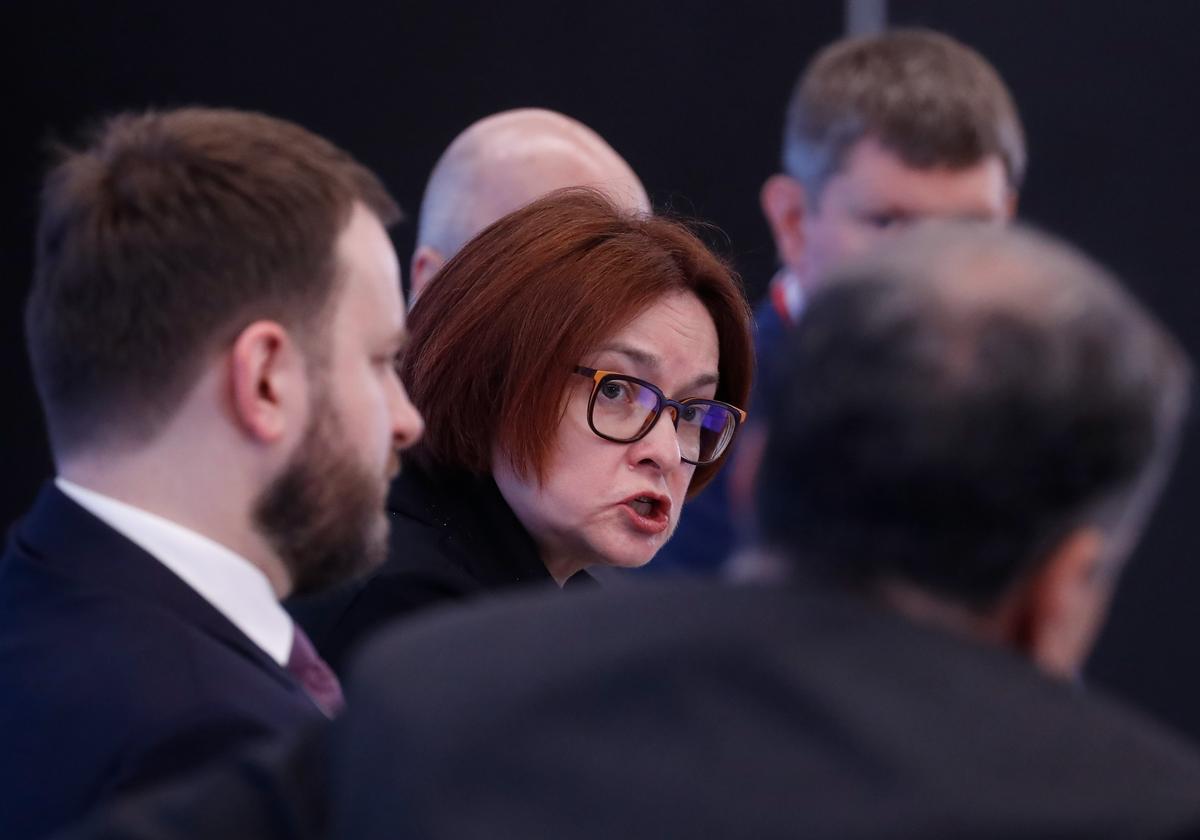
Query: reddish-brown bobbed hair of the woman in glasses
495, 339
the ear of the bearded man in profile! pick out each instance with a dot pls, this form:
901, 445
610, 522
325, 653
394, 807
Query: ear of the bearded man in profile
268, 381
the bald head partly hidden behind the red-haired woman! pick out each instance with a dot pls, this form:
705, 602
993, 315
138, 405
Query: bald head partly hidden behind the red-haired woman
502, 164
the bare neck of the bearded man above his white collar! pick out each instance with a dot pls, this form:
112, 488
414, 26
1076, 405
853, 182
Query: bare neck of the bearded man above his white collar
182, 494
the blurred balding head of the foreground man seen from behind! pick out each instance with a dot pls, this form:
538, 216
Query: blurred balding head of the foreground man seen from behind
974, 425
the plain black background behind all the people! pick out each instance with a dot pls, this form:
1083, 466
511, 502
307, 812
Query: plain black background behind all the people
692, 94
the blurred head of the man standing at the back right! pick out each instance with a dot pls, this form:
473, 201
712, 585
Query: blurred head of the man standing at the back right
886, 130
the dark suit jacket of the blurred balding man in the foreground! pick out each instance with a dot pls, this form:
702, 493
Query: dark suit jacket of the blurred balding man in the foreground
707, 712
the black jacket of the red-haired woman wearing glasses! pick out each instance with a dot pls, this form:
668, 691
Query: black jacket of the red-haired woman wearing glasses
453, 537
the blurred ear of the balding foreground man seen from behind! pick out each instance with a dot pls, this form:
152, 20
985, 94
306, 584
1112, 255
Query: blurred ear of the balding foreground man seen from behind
1061, 609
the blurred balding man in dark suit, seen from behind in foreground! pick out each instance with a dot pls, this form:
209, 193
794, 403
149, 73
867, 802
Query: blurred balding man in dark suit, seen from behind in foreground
973, 428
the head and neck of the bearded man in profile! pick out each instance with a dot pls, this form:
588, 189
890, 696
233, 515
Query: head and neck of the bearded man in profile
213, 325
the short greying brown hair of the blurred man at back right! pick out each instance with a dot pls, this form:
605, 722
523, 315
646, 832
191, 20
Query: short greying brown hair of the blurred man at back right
927, 98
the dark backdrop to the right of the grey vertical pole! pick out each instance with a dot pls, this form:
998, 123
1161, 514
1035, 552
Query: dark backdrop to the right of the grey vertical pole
1107, 91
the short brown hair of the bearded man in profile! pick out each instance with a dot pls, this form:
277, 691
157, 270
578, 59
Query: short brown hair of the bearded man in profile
163, 238
